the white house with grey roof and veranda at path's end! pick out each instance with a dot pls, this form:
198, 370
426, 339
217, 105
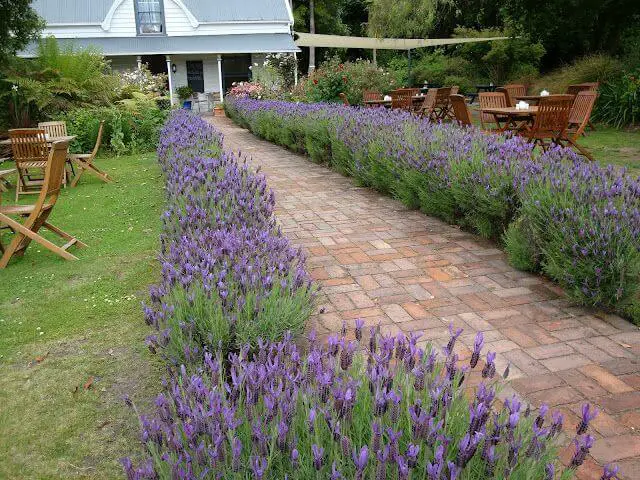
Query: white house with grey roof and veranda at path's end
206, 44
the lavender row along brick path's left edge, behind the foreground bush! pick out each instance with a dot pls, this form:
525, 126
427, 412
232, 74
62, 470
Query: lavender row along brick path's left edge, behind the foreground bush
229, 276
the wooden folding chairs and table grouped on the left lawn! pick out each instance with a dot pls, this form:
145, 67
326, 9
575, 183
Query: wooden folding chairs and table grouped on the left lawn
42, 166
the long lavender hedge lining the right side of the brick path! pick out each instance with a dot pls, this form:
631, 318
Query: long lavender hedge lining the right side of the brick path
579, 223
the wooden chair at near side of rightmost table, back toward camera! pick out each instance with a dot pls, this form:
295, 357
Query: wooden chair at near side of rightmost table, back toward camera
551, 122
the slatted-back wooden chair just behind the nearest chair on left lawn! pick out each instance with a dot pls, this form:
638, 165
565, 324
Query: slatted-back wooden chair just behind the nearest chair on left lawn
30, 153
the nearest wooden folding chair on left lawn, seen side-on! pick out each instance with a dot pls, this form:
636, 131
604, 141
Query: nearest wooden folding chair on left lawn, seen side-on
36, 215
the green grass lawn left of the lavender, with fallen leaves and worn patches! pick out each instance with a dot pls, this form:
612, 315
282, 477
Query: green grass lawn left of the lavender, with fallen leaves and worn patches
71, 333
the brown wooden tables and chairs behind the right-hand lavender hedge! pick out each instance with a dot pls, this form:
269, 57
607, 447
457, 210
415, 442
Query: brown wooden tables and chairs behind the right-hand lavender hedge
544, 119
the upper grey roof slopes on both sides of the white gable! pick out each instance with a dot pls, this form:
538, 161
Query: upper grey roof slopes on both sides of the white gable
204, 11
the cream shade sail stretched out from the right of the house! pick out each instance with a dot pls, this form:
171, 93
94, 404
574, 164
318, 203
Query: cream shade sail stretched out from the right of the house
337, 41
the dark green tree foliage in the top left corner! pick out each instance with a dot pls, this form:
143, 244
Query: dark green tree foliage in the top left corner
19, 24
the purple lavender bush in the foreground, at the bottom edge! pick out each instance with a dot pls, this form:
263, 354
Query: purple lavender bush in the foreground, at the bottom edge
395, 411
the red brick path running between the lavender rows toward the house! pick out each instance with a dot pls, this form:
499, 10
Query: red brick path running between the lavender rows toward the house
409, 272
